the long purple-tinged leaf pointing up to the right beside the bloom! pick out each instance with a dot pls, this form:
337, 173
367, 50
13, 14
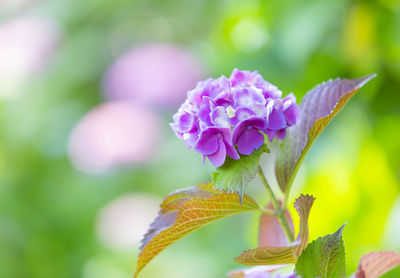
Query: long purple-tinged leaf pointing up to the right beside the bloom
318, 107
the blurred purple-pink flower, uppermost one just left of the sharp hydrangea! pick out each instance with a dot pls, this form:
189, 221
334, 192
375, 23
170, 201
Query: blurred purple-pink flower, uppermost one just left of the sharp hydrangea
158, 74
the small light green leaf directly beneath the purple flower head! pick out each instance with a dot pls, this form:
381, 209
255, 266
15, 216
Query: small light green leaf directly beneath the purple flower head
234, 175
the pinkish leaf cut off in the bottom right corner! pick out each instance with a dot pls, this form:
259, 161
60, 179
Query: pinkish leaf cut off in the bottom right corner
373, 265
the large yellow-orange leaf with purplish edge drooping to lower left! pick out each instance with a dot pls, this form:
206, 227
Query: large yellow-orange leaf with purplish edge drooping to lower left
185, 211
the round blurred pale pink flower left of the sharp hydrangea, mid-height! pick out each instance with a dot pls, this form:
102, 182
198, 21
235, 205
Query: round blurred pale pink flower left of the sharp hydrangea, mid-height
114, 134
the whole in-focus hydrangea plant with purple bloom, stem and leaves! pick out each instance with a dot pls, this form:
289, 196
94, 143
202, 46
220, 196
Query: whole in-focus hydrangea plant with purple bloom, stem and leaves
231, 121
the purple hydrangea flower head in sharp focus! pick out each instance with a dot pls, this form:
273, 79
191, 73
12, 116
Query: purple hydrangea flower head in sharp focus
222, 113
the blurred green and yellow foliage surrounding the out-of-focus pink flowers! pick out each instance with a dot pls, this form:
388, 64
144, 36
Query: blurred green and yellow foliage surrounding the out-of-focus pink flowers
49, 211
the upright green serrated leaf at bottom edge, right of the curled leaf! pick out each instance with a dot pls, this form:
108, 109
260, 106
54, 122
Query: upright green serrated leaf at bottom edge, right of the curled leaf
323, 258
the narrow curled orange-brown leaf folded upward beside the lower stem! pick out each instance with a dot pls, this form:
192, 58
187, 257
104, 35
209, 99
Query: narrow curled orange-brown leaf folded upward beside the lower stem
285, 254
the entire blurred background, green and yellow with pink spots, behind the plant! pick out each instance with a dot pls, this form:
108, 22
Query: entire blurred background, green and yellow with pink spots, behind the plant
87, 89
